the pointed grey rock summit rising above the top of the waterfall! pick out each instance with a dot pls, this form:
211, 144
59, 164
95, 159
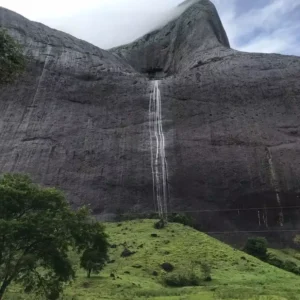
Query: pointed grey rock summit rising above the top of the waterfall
196, 34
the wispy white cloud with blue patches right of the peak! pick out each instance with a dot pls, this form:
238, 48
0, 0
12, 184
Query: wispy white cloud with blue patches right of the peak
271, 28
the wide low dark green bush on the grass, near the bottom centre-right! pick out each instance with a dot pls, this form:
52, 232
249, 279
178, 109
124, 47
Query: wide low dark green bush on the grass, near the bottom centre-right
181, 279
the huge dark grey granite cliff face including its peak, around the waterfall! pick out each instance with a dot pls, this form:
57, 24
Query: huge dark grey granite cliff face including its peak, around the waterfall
78, 120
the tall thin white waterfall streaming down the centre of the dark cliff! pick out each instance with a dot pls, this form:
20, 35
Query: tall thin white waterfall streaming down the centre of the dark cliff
158, 155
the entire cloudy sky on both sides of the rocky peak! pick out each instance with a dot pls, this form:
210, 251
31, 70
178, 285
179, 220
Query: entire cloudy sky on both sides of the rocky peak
252, 25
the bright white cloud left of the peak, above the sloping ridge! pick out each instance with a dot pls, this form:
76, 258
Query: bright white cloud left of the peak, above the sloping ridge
105, 23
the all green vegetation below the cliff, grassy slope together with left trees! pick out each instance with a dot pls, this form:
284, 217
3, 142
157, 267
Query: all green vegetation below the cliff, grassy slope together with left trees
48, 251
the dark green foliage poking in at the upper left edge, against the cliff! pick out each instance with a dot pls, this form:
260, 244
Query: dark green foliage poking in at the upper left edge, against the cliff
12, 61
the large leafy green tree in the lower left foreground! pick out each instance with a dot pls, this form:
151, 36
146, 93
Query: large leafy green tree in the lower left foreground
37, 229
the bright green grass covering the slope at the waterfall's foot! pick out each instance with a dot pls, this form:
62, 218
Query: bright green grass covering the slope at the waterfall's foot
235, 274
